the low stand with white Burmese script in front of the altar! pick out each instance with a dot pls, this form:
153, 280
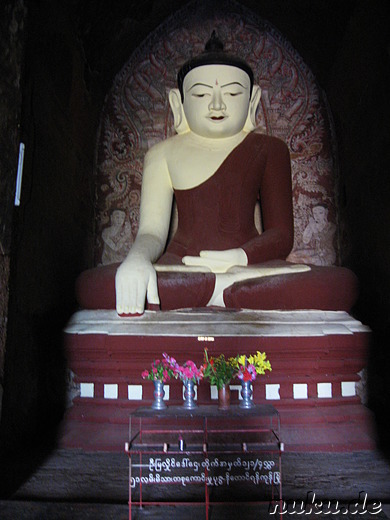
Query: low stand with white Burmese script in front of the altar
204, 456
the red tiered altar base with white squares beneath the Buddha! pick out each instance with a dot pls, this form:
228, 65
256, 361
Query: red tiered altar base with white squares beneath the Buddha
314, 383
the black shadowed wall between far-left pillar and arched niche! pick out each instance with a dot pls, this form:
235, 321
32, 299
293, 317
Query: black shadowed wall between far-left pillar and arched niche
52, 231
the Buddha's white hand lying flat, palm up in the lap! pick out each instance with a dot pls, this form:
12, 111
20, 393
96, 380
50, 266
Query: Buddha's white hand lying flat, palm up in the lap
218, 261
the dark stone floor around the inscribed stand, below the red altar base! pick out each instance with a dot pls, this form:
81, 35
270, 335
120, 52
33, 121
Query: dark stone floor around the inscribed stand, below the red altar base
74, 484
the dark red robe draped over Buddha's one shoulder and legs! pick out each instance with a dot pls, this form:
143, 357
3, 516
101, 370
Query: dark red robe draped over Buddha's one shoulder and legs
219, 214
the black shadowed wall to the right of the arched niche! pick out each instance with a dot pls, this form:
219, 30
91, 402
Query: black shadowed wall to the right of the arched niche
358, 91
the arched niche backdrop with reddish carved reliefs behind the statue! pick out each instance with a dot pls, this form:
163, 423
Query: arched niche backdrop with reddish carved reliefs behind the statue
136, 115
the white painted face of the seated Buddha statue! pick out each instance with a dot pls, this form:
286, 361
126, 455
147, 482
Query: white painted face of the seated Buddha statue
216, 100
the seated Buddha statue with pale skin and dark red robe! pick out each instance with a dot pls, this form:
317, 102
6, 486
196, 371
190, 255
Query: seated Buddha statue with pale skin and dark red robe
217, 168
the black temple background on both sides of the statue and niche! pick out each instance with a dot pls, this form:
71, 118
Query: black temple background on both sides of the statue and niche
57, 62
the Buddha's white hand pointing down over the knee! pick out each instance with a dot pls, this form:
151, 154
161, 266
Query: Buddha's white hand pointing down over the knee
135, 282
